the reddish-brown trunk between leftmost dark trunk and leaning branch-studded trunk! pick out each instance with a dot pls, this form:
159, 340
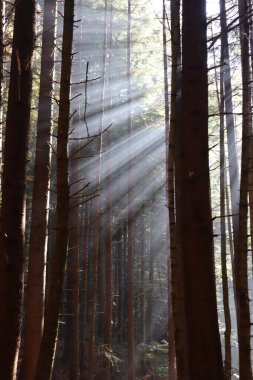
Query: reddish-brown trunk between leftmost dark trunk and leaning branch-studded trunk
38, 233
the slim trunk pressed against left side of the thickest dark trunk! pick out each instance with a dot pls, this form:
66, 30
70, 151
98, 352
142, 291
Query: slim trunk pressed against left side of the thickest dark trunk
177, 326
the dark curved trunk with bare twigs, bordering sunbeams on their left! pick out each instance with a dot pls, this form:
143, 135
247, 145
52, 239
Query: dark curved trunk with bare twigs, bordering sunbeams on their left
58, 260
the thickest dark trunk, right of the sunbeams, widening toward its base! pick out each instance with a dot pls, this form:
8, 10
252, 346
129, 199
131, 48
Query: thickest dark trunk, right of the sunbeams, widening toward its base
202, 342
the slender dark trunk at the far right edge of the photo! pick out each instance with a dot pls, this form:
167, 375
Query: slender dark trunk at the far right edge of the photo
241, 257
